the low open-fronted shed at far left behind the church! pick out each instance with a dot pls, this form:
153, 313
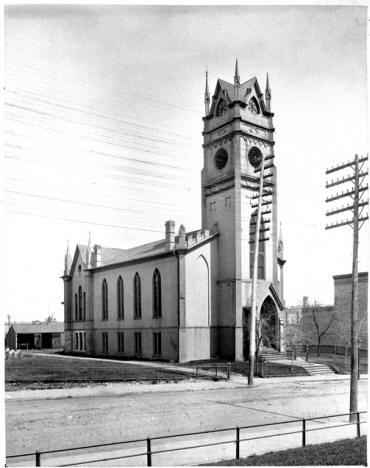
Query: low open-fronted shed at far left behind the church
35, 335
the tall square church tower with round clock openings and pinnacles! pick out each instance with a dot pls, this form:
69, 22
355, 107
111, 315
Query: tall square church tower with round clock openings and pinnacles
238, 129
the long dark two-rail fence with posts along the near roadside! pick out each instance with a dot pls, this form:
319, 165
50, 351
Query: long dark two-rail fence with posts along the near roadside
147, 451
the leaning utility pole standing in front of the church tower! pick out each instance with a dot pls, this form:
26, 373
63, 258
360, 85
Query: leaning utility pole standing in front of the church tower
257, 239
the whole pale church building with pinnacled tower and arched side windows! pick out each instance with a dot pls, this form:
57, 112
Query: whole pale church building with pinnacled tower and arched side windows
188, 296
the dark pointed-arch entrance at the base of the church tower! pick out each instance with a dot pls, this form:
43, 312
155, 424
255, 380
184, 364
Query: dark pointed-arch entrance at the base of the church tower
269, 324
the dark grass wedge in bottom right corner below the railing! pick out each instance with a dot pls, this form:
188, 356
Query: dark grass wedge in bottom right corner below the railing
342, 452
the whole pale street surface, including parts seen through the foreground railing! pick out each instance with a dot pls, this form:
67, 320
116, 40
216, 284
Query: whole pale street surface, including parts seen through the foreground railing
64, 418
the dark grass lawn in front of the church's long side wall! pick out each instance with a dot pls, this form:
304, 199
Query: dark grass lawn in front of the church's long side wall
35, 371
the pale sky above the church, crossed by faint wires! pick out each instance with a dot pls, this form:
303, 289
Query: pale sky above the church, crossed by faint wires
103, 131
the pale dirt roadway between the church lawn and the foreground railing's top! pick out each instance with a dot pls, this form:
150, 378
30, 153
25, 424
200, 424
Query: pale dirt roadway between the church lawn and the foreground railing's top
69, 422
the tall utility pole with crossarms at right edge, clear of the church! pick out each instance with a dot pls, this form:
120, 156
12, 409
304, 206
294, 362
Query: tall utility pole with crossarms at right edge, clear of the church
357, 205
